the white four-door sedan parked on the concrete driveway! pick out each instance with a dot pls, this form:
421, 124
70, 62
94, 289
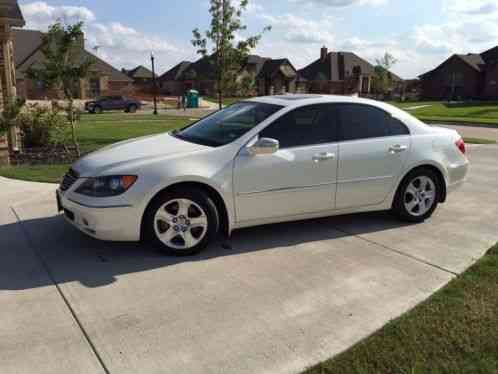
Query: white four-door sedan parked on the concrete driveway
261, 161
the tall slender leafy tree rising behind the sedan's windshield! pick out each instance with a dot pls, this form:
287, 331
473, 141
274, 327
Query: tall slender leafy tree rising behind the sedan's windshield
228, 53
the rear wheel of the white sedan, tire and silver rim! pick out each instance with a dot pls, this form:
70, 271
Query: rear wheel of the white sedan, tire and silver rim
418, 196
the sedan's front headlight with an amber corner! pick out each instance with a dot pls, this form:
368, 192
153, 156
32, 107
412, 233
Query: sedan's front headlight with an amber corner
107, 186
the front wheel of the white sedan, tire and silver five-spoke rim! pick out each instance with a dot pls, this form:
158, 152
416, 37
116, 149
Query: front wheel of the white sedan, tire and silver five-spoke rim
170, 222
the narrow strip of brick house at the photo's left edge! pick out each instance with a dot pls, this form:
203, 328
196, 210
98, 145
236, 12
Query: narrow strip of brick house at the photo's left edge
10, 16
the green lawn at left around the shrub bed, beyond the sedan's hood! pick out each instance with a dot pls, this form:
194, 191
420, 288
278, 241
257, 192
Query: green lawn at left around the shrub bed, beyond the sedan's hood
97, 131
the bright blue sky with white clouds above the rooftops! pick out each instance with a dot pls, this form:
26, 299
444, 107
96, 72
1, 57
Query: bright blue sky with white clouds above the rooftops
420, 34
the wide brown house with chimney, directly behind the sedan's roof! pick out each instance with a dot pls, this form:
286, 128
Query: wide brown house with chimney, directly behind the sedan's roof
340, 73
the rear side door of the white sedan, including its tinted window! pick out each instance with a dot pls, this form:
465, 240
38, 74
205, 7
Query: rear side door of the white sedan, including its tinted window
372, 151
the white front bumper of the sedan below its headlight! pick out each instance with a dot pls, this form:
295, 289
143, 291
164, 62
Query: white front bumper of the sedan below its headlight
104, 223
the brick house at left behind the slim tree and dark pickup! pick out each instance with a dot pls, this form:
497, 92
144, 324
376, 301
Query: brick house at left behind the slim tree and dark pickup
104, 79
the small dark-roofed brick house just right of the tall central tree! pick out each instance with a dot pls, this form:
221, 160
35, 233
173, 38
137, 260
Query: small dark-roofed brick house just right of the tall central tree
277, 77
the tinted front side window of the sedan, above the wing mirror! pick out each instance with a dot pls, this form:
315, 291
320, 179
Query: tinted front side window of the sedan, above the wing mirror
310, 125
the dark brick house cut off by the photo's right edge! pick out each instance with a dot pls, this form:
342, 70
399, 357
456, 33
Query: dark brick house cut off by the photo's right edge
463, 76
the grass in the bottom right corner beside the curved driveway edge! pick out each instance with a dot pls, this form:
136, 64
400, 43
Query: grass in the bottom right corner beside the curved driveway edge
455, 331
